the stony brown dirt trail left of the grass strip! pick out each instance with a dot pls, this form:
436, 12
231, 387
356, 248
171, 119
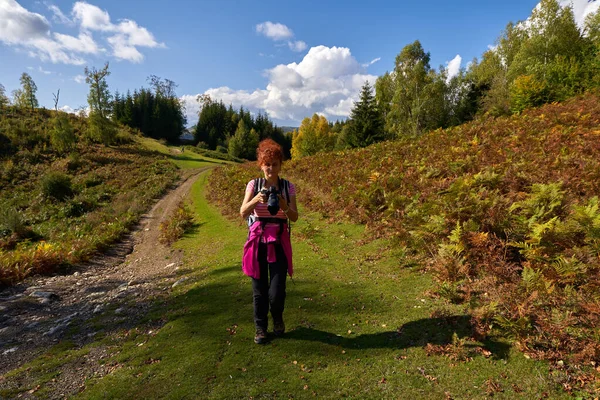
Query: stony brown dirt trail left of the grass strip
110, 293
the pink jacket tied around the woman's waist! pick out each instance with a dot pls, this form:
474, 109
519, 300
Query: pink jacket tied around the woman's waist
250, 264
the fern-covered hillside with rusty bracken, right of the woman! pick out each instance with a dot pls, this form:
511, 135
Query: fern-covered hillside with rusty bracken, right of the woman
504, 213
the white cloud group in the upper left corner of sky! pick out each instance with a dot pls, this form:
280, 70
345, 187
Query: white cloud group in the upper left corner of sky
31, 31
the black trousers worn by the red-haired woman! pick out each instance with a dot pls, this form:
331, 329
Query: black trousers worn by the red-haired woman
269, 290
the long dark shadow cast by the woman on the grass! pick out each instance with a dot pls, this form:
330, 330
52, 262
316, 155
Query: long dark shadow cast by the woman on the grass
419, 333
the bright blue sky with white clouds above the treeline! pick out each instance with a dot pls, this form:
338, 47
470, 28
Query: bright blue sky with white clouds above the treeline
290, 59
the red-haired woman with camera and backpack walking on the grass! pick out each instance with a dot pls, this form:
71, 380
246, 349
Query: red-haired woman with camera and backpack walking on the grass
268, 252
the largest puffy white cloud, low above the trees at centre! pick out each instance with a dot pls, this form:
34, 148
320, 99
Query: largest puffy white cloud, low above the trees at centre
327, 81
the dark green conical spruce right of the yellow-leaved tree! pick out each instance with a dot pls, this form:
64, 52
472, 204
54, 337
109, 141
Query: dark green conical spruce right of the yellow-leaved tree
366, 126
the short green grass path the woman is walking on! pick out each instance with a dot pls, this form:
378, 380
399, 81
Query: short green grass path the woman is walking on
358, 325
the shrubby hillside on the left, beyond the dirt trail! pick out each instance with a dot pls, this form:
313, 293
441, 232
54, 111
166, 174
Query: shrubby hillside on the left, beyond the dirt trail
59, 208
